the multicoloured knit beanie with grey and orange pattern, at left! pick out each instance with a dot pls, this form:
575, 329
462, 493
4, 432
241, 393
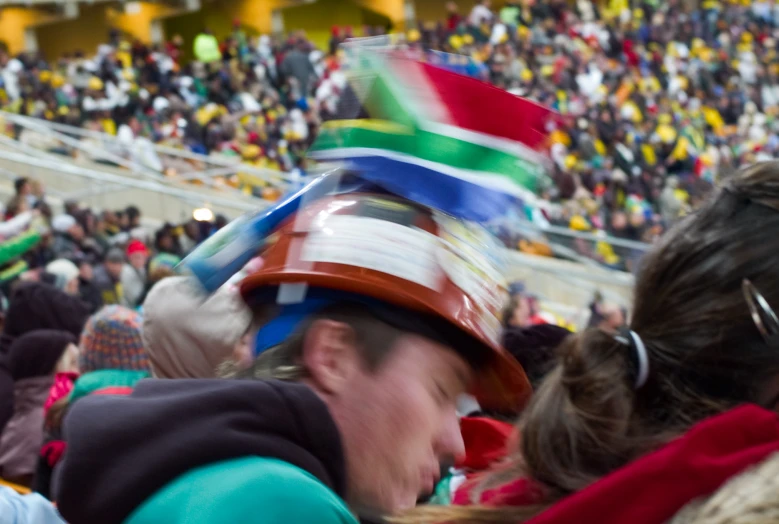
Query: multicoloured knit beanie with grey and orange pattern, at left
112, 340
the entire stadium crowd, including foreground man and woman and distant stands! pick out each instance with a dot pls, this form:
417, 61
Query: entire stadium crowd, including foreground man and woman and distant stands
350, 377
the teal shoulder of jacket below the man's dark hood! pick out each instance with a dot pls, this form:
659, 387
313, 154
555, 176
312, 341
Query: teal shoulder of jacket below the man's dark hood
246, 490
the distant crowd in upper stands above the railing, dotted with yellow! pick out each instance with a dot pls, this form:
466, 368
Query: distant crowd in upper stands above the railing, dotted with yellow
659, 98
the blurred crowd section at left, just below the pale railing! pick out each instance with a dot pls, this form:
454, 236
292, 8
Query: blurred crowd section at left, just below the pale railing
104, 258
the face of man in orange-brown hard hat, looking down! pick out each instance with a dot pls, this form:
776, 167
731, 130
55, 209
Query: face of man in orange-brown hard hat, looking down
399, 422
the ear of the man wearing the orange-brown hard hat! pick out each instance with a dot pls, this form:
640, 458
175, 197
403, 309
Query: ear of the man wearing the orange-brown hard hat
330, 355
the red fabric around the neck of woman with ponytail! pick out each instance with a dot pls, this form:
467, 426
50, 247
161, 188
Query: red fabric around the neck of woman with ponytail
652, 489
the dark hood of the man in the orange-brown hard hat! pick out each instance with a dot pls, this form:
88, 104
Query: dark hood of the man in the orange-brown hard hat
121, 450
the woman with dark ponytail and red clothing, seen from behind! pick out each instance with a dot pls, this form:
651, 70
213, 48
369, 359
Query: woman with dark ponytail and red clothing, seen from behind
644, 425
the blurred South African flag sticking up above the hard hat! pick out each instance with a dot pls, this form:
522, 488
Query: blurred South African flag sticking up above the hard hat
431, 127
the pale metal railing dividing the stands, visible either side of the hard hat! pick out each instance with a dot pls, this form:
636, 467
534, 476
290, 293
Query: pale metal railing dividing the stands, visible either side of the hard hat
586, 248
